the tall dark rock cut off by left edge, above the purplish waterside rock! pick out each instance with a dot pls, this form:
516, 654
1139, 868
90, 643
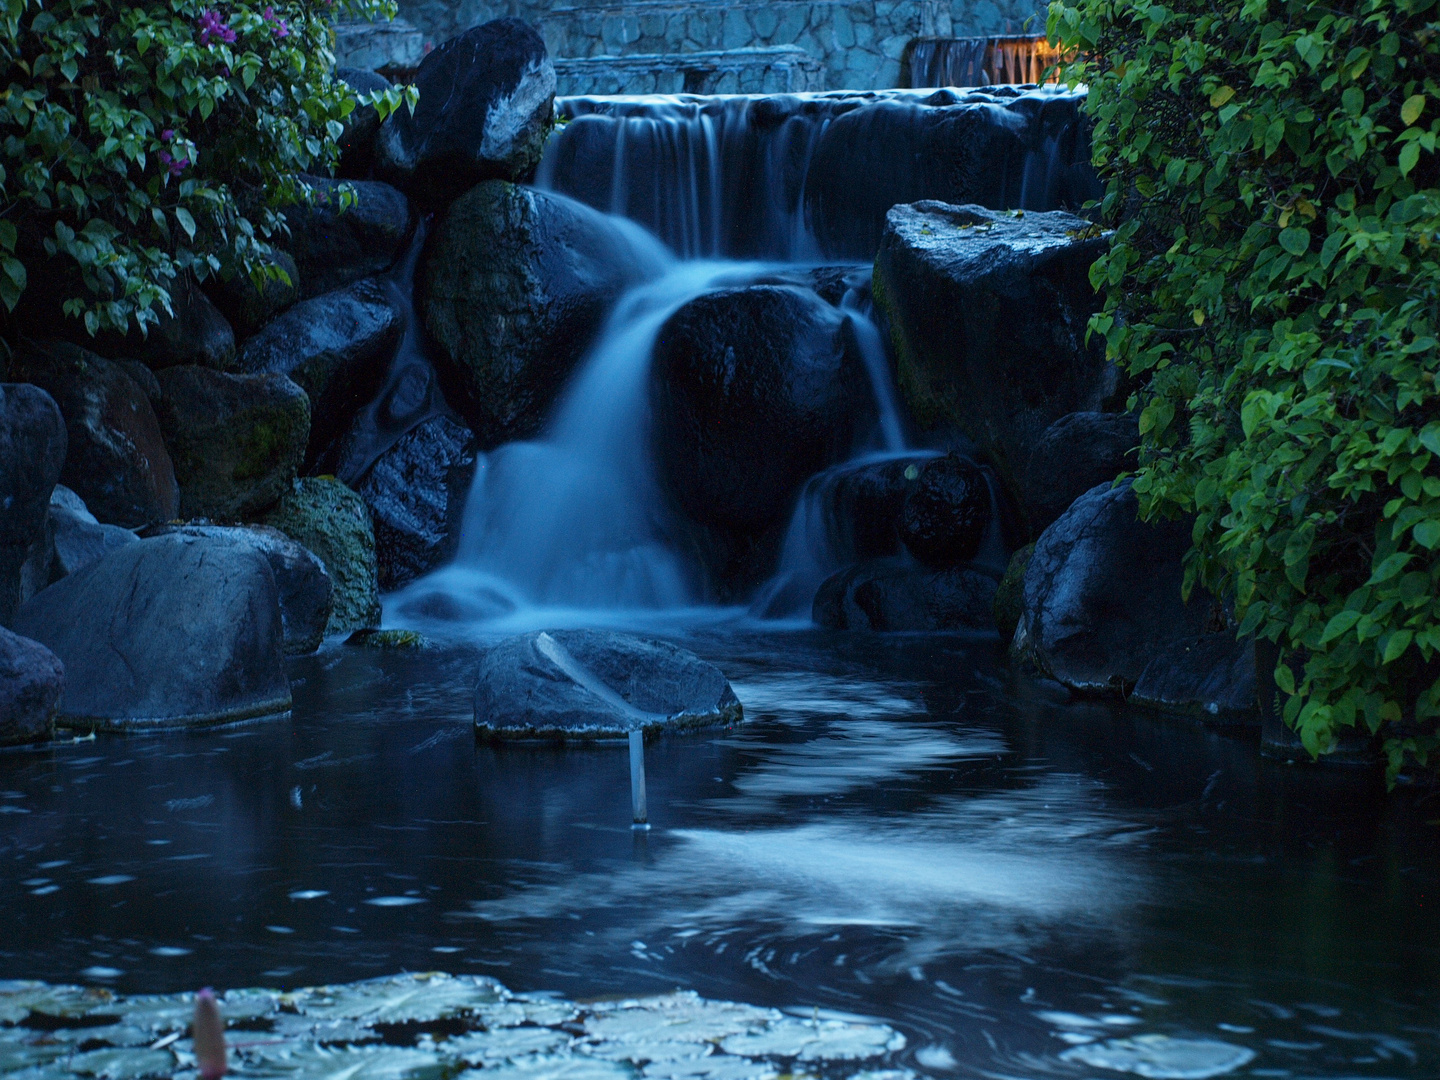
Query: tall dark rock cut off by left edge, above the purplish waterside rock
32, 454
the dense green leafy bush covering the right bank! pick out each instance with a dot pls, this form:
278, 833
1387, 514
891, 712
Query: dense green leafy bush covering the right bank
1274, 283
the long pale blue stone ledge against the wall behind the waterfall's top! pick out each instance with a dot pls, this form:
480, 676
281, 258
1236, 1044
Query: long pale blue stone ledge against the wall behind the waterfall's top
784, 70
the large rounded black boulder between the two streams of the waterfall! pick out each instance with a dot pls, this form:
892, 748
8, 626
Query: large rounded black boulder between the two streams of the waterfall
754, 391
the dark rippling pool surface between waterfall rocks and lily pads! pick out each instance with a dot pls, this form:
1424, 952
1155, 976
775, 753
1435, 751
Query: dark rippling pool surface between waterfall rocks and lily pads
896, 832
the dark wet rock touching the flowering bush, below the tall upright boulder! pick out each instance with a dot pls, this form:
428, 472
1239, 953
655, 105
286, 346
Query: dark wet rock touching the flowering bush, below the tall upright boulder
336, 248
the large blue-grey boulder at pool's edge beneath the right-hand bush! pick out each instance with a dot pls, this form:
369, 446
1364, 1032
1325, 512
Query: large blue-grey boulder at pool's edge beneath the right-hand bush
1102, 594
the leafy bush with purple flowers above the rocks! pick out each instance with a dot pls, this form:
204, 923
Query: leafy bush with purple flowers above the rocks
146, 139
